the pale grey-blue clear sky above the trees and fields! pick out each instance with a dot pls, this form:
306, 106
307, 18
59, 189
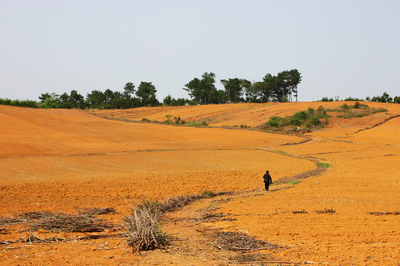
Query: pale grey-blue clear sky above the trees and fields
342, 48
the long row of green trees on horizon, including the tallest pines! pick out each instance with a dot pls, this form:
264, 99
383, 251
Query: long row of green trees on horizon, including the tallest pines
280, 88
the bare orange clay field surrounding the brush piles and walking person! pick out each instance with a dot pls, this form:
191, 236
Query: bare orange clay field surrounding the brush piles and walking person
61, 160
